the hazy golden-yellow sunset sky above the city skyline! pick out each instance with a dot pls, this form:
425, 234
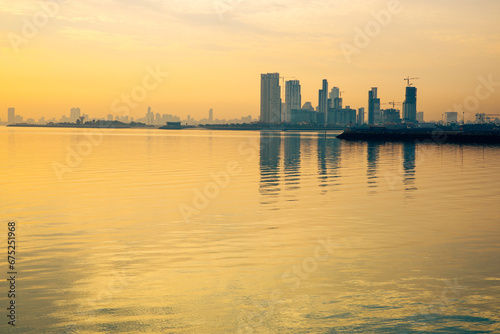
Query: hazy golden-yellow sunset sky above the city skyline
92, 54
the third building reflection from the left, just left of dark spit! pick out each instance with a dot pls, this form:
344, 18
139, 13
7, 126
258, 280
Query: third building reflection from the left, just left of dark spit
329, 151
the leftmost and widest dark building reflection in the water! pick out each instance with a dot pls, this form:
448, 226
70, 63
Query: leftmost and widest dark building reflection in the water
270, 149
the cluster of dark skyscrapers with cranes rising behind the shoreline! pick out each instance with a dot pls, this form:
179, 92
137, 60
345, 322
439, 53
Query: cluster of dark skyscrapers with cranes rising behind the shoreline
330, 109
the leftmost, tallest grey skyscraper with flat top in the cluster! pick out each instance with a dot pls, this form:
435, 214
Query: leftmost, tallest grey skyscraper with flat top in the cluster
270, 98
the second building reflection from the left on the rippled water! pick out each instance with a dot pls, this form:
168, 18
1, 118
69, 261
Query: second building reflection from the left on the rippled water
292, 161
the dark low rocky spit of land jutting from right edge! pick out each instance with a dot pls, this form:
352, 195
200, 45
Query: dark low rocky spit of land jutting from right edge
473, 134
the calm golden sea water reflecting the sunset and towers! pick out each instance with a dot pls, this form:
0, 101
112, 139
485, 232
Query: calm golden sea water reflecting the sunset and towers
132, 231
